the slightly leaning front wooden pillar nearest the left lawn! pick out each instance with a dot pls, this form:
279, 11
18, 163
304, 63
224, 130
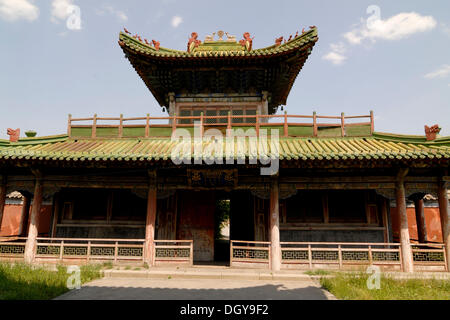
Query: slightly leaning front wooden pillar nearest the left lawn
30, 246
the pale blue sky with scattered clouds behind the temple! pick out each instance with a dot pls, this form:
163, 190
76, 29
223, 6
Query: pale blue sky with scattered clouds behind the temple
396, 63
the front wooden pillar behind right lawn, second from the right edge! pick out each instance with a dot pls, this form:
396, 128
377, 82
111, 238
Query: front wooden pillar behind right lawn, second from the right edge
407, 258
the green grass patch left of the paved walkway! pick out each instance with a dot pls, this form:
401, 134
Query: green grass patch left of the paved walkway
20, 281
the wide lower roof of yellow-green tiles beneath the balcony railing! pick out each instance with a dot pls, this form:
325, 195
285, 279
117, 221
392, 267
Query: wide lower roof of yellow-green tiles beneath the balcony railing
378, 148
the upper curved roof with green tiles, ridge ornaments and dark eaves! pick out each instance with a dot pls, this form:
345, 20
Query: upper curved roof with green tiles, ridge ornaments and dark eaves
219, 65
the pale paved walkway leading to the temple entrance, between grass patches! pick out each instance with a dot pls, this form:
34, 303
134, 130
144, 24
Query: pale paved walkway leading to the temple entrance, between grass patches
198, 289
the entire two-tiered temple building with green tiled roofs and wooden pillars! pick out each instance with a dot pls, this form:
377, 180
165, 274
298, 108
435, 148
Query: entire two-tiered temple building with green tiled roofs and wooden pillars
299, 191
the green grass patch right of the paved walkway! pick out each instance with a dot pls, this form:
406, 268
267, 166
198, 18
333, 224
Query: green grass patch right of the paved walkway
353, 286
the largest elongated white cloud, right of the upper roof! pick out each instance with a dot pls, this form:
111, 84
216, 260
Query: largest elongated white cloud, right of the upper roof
396, 27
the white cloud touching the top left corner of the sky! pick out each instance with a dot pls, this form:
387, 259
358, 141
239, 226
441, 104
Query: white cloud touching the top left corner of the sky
12, 10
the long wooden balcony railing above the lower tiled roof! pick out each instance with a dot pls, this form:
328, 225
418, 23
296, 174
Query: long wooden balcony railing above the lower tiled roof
289, 126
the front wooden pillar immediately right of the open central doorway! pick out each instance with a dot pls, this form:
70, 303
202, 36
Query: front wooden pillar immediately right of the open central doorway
275, 226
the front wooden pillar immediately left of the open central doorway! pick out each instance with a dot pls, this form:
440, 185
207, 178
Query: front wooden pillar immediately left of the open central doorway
150, 225
